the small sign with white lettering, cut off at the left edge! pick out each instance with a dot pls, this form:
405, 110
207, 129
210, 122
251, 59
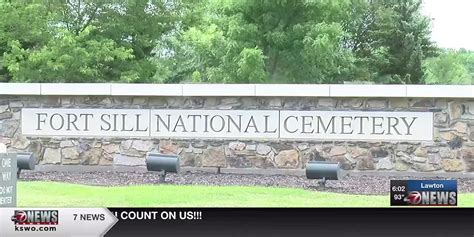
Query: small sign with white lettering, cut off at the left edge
8, 180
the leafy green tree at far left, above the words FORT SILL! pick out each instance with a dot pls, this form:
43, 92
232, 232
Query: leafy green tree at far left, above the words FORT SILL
90, 39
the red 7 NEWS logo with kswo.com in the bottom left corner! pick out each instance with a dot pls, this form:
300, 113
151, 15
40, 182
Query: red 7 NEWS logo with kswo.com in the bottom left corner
28, 220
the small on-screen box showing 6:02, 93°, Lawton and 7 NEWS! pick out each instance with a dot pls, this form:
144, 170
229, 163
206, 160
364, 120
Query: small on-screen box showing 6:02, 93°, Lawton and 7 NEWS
423, 193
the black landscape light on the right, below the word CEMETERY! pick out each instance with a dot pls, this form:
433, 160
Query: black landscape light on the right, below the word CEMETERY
323, 170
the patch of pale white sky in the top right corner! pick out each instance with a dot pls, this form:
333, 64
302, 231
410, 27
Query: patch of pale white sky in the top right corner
453, 22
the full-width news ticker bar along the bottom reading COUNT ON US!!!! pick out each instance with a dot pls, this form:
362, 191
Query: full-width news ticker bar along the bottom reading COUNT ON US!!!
235, 221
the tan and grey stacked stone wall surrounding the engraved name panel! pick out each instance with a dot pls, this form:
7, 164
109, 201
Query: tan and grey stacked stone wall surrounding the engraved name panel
452, 149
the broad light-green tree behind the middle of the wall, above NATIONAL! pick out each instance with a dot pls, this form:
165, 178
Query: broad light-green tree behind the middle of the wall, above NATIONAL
263, 41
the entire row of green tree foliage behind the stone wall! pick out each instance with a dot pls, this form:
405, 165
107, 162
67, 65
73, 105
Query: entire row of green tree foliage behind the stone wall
220, 41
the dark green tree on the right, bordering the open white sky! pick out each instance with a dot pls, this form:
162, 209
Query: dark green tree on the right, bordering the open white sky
390, 39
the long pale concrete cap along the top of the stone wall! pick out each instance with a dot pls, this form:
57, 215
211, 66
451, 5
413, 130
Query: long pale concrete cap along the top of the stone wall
257, 90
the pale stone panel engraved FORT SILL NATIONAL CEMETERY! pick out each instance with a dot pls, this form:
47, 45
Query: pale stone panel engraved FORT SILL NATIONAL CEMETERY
237, 124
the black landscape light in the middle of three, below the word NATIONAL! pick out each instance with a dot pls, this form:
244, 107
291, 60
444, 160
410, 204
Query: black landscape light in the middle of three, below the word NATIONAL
164, 163
